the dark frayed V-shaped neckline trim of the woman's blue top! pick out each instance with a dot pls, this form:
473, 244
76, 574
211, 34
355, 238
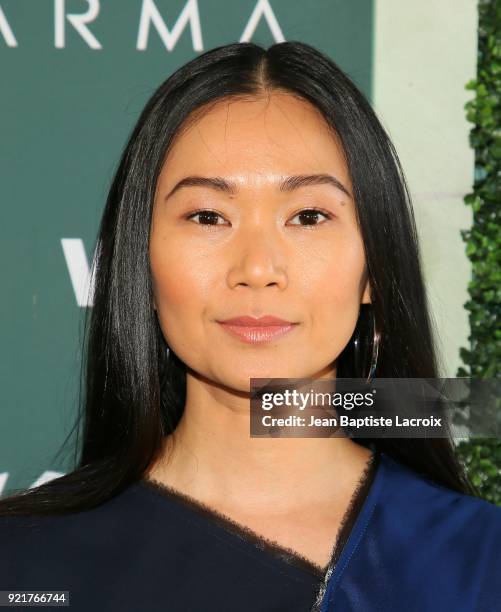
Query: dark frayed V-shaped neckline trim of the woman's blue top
292, 557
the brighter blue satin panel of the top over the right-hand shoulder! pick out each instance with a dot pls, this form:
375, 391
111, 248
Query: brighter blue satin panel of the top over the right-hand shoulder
418, 546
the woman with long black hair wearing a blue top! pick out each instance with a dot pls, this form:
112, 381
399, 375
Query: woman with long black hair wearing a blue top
257, 184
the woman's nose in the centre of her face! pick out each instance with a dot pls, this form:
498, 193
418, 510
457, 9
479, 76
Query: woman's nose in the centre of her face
258, 261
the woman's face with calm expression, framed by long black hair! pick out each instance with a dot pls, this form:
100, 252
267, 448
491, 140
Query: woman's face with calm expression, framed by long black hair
258, 249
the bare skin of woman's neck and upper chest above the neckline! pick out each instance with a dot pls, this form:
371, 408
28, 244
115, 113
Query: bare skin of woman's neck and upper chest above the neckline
292, 491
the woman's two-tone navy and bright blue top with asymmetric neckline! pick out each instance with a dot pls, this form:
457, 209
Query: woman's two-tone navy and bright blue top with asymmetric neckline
412, 546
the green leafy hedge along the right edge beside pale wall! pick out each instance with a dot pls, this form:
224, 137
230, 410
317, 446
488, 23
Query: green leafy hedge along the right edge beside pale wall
482, 456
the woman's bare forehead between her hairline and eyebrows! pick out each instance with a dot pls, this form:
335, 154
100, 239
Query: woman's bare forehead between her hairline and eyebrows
253, 139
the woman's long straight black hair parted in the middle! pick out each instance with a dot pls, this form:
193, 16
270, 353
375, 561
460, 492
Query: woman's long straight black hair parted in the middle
133, 389
